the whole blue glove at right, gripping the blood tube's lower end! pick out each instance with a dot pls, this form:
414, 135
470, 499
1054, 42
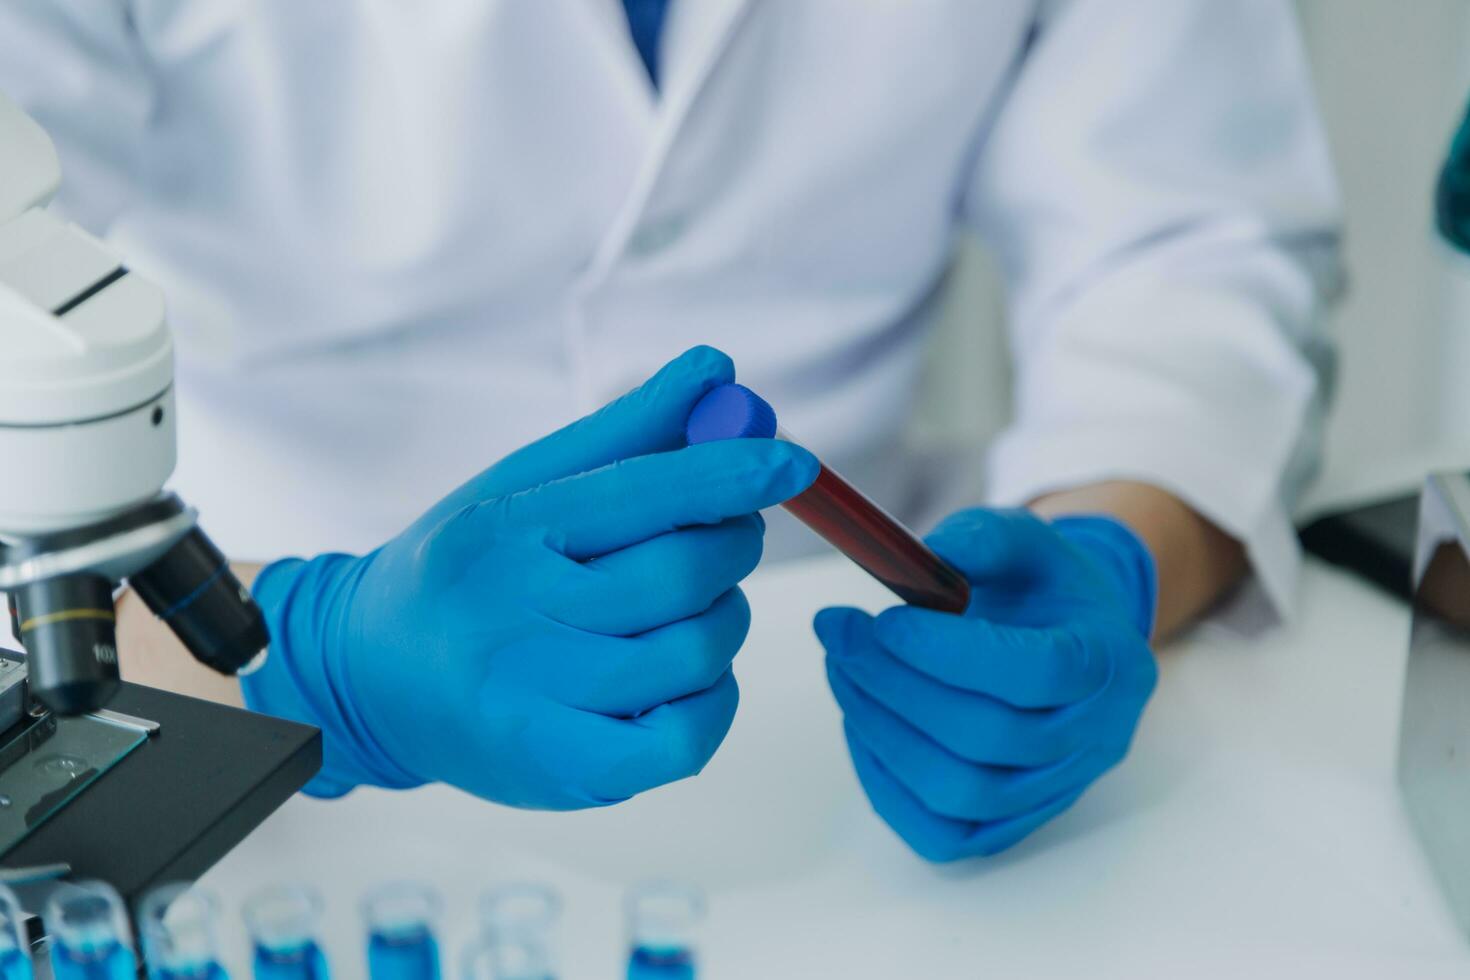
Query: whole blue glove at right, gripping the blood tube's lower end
969, 732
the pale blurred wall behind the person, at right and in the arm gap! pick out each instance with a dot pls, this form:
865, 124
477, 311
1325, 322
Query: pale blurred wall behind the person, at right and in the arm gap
1393, 80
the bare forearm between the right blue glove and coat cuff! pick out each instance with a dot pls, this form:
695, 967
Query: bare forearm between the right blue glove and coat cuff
1197, 562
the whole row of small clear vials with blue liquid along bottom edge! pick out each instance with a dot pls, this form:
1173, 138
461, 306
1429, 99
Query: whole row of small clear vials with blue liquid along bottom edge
180, 935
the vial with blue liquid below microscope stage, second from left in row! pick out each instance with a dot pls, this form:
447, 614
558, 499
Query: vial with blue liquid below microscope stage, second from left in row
90, 938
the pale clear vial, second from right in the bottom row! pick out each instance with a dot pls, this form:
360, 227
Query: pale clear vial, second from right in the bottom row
517, 943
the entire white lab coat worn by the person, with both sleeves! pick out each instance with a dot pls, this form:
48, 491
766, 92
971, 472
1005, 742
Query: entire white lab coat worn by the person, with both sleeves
404, 239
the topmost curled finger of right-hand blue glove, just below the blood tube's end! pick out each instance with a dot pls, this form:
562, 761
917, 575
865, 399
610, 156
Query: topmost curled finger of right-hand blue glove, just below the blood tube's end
1028, 668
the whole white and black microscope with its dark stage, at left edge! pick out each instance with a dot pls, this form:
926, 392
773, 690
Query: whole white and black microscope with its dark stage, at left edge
99, 777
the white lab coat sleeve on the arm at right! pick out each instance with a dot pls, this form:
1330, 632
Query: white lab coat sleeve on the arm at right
1159, 192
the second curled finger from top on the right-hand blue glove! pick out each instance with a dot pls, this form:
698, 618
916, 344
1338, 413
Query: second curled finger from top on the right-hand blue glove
974, 727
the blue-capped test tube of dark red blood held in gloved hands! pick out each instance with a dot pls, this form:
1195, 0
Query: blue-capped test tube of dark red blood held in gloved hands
837, 511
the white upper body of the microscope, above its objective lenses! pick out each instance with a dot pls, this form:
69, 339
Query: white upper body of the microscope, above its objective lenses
86, 359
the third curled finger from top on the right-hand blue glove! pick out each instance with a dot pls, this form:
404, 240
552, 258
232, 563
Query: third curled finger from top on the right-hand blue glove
947, 785
